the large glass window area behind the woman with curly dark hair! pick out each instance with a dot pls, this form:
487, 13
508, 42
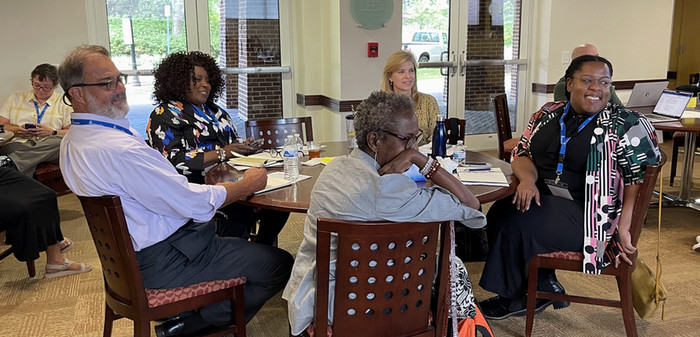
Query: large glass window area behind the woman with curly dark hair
242, 35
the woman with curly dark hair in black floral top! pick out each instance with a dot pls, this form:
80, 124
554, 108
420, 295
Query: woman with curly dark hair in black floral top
194, 133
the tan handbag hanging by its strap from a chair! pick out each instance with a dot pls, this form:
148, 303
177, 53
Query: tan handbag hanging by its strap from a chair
647, 290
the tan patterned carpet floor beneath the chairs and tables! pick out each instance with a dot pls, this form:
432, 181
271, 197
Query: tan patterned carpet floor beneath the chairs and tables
74, 305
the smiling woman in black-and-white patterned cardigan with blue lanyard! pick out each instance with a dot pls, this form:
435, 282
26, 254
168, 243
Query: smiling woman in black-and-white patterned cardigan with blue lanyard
580, 165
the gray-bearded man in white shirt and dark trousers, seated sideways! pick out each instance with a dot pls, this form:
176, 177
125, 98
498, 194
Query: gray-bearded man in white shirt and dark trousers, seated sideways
169, 219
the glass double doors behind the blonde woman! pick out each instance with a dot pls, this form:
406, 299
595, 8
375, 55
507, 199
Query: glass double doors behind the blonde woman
480, 59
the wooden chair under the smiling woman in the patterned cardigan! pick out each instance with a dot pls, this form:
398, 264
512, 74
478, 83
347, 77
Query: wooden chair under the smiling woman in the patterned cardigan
573, 261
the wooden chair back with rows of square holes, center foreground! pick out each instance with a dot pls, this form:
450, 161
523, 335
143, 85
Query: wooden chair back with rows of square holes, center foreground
384, 277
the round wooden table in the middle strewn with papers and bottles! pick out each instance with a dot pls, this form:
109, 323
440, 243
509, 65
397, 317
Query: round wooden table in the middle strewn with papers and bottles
296, 198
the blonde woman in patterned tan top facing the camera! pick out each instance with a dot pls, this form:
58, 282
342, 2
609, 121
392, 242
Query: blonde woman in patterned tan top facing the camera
399, 76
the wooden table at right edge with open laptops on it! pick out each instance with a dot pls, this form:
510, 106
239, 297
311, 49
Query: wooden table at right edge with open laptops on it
691, 126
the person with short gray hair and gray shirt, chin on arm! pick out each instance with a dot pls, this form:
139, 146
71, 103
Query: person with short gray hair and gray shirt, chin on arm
369, 185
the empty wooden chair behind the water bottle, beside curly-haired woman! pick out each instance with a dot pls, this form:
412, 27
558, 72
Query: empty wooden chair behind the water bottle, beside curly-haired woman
274, 131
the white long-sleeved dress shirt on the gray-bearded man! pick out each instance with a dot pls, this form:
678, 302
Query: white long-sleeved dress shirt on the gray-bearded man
98, 160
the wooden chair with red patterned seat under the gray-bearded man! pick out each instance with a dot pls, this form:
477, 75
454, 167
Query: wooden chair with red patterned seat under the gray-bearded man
125, 295
